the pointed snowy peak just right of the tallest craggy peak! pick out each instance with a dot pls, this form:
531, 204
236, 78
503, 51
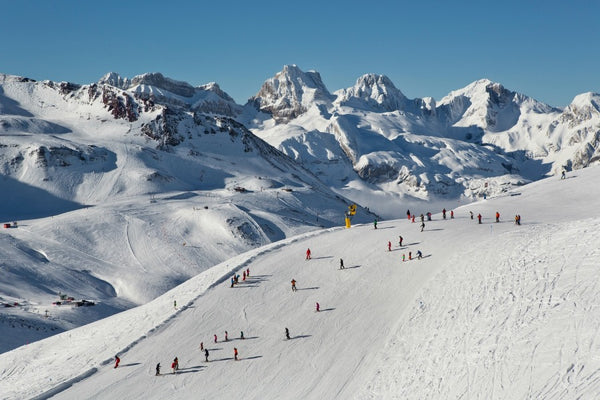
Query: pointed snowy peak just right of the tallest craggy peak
372, 91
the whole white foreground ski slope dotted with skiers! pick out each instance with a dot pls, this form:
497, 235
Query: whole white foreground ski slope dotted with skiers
492, 311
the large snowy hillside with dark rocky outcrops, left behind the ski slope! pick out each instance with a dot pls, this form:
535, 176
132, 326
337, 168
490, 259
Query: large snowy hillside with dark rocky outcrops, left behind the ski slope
126, 178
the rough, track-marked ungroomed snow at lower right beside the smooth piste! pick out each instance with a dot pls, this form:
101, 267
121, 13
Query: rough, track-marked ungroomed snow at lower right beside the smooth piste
522, 324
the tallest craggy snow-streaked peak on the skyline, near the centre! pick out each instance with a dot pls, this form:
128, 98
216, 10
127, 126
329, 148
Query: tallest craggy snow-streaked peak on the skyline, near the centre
290, 93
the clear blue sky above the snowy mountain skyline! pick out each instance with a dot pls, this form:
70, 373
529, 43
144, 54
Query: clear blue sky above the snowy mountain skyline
549, 50
